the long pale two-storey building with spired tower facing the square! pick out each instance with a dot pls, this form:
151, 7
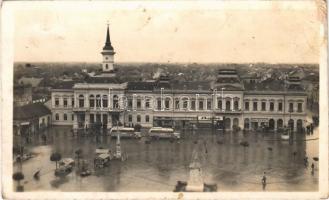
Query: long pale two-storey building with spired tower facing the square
105, 99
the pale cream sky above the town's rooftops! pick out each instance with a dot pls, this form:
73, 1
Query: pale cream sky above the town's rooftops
201, 32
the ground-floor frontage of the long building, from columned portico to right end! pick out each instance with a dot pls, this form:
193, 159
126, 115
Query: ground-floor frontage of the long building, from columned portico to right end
231, 121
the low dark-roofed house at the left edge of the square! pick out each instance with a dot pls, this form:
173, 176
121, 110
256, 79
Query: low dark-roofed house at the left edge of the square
31, 118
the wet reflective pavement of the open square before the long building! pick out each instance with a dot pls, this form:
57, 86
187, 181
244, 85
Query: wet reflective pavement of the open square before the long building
159, 165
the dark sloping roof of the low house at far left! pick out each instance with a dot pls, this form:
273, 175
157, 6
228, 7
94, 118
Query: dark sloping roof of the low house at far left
30, 111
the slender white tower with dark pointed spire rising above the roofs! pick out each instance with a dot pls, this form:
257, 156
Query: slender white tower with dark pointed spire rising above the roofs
108, 54
